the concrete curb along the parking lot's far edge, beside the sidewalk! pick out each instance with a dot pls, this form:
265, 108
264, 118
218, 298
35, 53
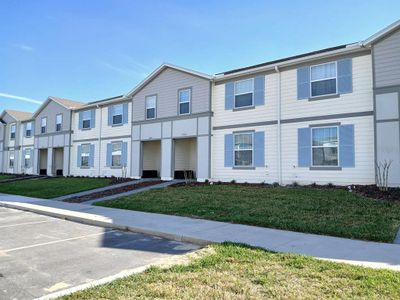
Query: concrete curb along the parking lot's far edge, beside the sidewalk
160, 234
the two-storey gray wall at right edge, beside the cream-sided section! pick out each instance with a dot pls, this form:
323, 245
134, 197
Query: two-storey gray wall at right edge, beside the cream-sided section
386, 58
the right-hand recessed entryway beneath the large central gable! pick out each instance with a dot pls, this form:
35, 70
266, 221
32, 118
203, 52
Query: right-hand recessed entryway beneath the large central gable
185, 158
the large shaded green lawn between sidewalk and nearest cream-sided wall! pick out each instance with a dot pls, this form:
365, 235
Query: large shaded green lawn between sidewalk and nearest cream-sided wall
330, 212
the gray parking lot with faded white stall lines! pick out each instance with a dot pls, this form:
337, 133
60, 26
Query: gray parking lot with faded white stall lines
41, 255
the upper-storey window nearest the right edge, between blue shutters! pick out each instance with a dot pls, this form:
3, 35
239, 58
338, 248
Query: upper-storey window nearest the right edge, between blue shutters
323, 79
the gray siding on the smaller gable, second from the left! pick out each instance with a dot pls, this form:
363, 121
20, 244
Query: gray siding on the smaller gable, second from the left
51, 111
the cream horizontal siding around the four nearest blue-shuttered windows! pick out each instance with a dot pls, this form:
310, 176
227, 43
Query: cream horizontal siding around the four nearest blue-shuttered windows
353, 108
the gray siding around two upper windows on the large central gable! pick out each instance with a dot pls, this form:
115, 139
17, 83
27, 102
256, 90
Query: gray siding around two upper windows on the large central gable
166, 86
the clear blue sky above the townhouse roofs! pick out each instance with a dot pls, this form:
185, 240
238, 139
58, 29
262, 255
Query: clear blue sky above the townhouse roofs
94, 49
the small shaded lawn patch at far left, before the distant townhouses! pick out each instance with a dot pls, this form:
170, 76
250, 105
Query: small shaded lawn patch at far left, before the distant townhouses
52, 187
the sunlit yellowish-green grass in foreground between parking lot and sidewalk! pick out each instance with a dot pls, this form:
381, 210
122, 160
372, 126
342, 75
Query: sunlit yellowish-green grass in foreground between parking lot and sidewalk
231, 271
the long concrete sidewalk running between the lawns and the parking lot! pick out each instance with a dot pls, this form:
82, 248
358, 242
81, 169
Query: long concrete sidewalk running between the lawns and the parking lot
369, 254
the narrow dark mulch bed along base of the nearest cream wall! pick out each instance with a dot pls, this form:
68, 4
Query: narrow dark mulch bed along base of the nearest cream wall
370, 191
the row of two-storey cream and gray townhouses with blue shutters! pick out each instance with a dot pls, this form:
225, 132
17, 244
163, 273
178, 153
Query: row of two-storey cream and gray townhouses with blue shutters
325, 116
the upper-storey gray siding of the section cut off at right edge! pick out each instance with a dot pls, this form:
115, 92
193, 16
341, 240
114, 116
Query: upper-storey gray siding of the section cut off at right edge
387, 61
